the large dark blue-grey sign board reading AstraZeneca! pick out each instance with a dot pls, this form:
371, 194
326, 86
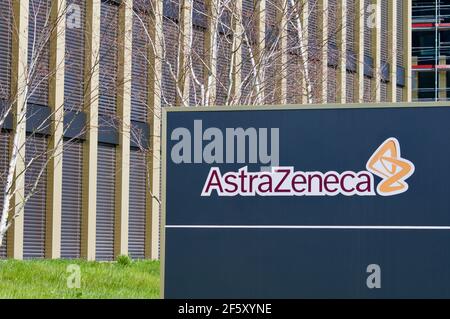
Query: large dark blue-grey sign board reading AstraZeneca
291, 202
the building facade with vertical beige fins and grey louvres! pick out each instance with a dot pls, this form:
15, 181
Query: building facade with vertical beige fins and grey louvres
82, 84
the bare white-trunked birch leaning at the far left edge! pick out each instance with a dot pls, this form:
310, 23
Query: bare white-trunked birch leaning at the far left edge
44, 19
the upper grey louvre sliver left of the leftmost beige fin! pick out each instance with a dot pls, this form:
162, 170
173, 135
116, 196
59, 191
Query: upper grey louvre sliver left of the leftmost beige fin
5, 48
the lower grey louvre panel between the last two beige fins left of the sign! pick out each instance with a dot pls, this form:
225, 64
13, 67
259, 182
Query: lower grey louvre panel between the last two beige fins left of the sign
137, 210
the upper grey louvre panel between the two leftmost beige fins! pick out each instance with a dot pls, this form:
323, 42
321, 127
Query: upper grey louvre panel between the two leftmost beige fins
38, 51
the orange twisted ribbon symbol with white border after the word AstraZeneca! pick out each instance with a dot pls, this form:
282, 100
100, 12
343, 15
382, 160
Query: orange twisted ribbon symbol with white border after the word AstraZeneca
387, 163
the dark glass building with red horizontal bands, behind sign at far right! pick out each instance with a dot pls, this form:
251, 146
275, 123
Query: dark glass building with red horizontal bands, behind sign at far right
431, 48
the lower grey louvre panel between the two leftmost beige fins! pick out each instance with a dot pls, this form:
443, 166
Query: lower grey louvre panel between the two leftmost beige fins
34, 216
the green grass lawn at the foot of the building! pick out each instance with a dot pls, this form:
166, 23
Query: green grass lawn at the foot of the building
48, 279
